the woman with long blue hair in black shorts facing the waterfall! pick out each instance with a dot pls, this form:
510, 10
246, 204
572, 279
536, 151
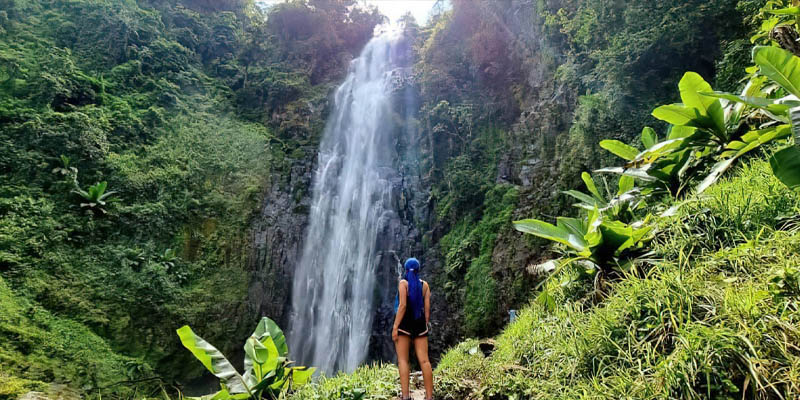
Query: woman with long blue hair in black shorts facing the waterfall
411, 326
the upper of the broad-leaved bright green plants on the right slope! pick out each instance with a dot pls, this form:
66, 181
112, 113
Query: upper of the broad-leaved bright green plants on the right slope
708, 127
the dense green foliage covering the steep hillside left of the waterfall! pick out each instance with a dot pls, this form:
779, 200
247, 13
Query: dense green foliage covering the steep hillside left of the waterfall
146, 96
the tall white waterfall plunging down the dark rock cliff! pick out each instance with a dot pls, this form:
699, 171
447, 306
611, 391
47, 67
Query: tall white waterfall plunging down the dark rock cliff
334, 284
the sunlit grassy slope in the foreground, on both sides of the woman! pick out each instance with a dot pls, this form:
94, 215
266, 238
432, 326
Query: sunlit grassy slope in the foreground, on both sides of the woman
701, 322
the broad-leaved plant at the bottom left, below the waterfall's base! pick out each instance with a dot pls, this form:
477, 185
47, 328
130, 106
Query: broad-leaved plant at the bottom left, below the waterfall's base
267, 369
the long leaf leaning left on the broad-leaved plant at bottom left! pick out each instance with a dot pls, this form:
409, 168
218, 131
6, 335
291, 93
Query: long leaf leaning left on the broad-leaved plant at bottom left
212, 359
